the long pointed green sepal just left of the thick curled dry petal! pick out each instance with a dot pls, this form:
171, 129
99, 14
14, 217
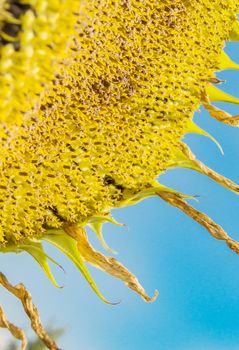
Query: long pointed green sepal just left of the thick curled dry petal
69, 247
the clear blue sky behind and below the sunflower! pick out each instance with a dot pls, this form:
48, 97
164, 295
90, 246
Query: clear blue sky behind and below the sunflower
197, 276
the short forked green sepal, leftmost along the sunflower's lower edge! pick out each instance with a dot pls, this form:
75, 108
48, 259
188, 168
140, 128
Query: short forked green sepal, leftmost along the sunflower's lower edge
36, 250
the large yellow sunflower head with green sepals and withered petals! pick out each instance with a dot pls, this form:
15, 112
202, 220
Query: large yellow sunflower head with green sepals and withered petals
95, 98
